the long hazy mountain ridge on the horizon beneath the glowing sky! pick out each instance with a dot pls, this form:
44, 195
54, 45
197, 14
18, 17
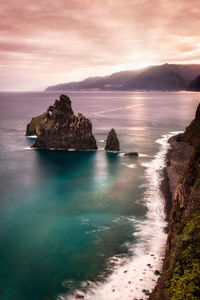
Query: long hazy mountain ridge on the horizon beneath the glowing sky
162, 77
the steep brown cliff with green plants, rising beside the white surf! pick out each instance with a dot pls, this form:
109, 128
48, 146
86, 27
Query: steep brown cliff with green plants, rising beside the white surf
180, 276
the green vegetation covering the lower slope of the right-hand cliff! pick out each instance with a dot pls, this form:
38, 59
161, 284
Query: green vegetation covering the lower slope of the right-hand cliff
183, 274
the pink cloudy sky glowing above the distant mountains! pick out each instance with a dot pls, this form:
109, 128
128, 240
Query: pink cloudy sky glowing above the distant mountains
46, 42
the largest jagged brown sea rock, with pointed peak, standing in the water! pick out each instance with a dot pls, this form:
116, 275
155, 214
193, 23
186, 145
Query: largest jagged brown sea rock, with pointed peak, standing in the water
61, 129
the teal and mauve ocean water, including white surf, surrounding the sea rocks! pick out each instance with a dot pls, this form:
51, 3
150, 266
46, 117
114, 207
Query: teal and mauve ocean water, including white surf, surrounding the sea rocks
86, 223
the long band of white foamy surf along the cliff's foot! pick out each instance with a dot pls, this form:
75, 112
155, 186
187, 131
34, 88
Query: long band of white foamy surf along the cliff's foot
130, 278
